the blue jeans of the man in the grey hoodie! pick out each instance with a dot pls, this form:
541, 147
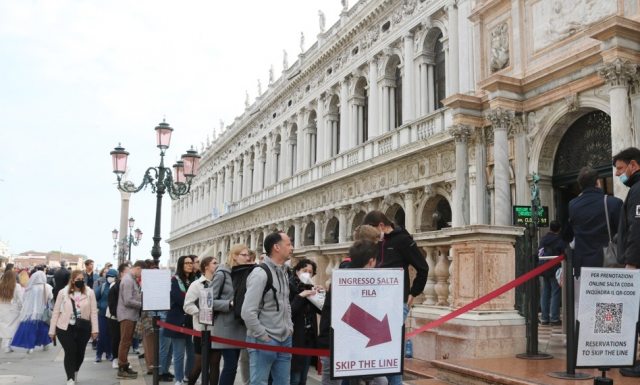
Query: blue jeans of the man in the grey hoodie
263, 362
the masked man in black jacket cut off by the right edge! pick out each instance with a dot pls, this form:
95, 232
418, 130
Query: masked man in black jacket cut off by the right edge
627, 164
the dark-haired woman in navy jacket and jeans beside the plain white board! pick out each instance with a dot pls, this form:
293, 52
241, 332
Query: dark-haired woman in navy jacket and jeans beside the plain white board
182, 343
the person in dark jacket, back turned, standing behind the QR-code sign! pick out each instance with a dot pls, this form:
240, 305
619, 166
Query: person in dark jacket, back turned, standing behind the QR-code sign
588, 224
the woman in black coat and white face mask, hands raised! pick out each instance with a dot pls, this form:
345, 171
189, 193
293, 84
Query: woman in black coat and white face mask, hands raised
305, 318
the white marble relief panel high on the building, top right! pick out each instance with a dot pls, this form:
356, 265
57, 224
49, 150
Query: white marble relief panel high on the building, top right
556, 20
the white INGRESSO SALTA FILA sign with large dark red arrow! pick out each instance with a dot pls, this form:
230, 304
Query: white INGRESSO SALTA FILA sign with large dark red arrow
366, 321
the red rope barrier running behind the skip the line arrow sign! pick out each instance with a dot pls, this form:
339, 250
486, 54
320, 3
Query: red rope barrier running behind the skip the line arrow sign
325, 352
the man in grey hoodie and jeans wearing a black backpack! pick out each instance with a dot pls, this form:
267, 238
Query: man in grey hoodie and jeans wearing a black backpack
268, 315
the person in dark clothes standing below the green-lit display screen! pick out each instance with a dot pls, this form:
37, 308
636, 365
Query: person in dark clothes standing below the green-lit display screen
551, 245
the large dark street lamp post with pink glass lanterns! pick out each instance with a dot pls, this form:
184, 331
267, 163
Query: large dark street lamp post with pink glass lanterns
160, 178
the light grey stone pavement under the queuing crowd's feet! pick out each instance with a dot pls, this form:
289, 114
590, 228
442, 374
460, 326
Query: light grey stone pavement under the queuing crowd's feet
46, 368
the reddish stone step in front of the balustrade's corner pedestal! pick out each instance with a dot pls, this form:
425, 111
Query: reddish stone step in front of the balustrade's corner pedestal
514, 371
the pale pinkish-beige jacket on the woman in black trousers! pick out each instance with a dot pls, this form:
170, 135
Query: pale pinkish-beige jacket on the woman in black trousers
63, 310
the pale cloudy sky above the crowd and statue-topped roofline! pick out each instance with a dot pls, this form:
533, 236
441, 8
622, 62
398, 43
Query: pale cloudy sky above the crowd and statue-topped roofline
77, 77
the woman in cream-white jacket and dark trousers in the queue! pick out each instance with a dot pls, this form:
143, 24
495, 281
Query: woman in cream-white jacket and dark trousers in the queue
191, 307
